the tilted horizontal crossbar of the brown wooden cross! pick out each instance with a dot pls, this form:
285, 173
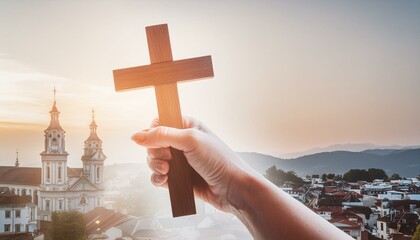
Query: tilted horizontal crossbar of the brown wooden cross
163, 73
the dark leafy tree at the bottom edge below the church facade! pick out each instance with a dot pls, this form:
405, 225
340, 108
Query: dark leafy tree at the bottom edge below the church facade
68, 225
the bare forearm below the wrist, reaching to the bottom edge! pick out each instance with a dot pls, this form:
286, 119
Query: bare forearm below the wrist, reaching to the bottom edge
270, 213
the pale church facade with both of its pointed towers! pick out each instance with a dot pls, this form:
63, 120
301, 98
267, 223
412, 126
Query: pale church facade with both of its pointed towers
64, 188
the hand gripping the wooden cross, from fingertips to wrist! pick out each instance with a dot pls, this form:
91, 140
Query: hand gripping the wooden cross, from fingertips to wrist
214, 161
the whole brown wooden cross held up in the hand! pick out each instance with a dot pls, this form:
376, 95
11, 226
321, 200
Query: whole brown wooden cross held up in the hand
163, 73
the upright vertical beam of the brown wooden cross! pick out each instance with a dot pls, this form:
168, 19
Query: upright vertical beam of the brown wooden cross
179, 176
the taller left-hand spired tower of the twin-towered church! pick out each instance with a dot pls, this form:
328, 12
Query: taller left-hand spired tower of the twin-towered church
54, 156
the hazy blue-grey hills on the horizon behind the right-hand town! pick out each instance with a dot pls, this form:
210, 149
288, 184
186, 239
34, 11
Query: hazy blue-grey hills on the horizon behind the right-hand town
405, 162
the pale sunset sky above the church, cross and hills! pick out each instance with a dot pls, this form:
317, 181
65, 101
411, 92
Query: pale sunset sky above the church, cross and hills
289, 75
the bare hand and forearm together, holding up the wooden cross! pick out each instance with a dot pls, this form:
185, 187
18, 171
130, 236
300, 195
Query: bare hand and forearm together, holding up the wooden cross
230, 185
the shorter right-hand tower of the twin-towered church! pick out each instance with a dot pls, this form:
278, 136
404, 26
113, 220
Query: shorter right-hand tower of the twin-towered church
93, 157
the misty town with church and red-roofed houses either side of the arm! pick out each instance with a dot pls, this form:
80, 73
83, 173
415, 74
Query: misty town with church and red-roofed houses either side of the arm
114, 201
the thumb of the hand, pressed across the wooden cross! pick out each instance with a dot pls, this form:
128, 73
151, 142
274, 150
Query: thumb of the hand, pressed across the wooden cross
163, 137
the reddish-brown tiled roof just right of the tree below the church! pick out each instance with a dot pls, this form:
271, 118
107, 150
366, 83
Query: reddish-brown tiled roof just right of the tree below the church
101, 219
